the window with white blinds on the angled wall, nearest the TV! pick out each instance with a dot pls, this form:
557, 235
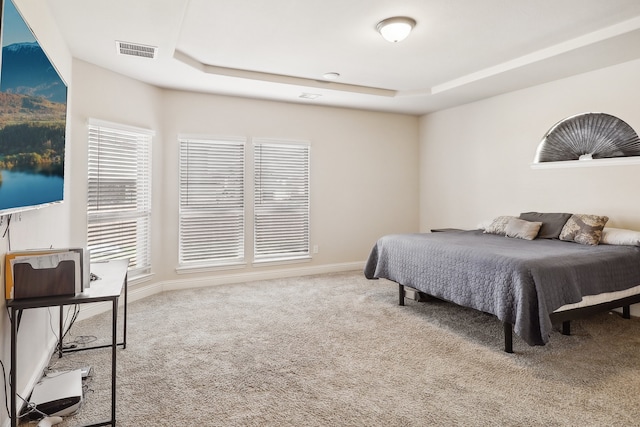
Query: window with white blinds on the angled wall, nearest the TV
119, 195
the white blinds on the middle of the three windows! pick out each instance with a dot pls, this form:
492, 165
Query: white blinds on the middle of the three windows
211, 202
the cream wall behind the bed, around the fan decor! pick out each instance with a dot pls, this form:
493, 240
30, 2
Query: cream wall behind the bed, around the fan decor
475, 159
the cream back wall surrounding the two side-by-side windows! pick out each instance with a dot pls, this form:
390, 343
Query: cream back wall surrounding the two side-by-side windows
364, 170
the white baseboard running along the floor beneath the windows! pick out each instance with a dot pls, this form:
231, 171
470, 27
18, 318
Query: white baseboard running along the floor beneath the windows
137, 292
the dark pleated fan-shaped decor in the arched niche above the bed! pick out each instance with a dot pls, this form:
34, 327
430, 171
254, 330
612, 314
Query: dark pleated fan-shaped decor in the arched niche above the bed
588, 136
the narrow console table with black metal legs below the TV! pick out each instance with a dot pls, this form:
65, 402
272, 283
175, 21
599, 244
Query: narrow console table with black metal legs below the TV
112, 279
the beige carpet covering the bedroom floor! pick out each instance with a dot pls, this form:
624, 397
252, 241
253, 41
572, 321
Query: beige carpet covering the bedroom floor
337, 350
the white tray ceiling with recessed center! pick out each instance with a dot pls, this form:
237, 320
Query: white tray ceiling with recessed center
460, 50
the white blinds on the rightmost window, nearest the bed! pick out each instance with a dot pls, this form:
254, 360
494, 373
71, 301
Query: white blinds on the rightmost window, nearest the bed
281, 200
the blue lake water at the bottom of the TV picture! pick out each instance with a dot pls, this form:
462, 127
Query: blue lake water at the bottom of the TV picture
26, 189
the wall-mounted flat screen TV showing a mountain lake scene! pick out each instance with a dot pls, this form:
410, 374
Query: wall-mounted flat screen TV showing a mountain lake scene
33, 111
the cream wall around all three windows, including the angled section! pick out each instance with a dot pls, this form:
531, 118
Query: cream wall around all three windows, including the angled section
364, 168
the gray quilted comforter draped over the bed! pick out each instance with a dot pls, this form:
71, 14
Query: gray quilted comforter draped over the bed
519, 281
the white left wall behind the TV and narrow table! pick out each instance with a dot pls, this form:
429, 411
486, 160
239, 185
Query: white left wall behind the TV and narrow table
36, 229
